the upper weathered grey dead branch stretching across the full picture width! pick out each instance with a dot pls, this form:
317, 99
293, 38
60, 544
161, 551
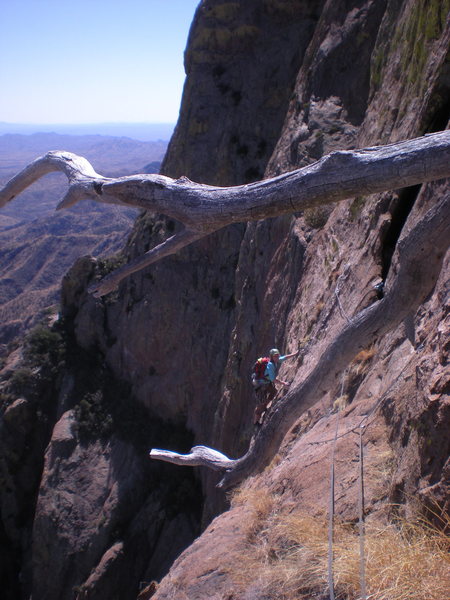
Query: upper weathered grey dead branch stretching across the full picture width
204, 209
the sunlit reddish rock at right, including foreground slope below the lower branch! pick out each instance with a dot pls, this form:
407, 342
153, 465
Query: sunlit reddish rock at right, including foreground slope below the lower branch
299, 280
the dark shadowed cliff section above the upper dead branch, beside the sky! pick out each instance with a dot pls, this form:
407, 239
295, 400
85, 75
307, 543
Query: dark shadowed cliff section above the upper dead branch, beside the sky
242, 59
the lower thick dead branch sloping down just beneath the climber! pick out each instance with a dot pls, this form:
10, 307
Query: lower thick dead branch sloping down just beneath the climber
420, 257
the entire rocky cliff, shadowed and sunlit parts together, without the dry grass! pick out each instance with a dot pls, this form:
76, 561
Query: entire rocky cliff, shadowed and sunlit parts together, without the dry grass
165, 361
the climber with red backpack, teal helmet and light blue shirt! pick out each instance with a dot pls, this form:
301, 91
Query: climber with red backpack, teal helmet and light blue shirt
264, 377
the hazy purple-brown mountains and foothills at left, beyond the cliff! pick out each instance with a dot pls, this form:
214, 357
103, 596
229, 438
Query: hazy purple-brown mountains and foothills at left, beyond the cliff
37, 245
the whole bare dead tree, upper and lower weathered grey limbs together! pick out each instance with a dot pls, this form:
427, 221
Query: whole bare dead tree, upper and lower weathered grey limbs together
204, 209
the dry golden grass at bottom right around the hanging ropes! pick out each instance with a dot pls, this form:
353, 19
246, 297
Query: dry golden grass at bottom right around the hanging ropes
287, 558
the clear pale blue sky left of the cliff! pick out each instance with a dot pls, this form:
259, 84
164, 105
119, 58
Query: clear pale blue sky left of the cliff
92, 61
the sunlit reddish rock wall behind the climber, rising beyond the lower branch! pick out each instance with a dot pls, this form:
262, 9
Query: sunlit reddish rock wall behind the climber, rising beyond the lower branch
289, 269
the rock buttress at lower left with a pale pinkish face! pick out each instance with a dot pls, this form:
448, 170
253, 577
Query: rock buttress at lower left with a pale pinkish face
106, 513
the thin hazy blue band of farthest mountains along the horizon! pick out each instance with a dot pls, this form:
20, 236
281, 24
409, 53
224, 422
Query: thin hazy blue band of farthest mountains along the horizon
147, 132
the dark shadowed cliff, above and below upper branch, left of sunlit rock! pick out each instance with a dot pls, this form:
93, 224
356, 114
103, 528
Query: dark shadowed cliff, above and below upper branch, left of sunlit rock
169, 348
